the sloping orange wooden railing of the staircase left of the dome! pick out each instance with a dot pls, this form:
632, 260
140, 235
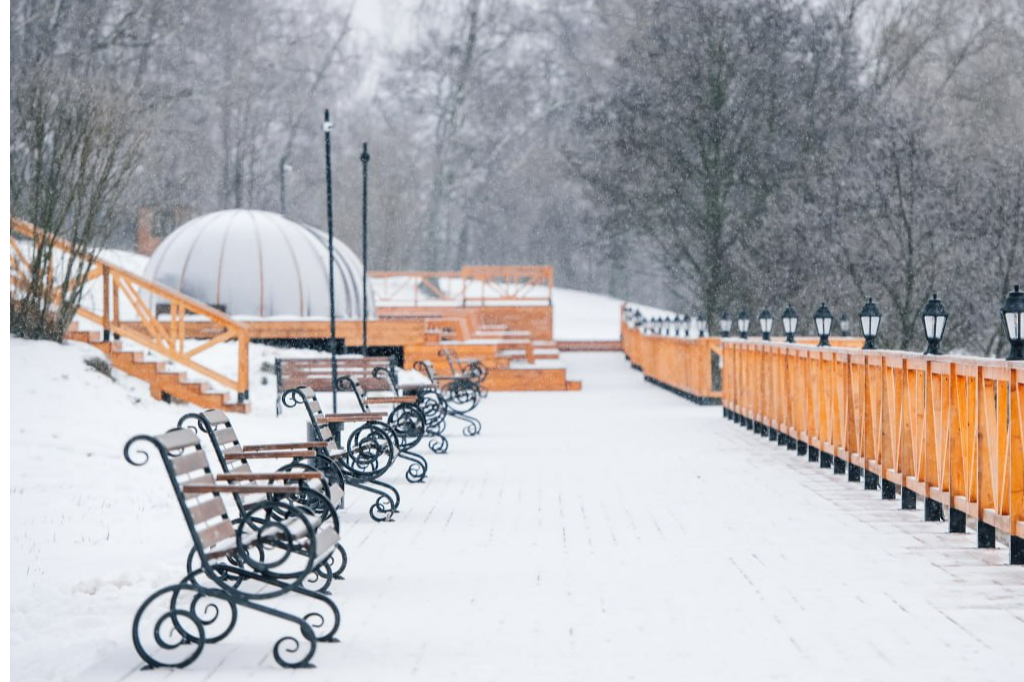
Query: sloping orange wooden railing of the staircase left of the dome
123, 305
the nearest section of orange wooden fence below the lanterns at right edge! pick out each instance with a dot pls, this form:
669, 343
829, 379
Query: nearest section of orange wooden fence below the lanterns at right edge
950, 430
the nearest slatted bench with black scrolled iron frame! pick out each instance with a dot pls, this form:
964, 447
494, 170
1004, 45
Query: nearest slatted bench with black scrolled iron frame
246, 557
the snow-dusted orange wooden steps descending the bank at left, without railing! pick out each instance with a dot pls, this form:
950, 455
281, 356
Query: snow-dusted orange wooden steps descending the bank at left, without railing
165, 382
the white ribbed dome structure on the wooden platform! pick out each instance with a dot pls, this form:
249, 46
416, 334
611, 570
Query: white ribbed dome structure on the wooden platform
260, 264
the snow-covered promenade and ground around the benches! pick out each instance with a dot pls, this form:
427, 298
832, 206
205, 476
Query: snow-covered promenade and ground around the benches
615, 534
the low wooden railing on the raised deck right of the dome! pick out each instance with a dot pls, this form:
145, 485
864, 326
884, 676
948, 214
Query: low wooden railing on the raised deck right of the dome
481, 285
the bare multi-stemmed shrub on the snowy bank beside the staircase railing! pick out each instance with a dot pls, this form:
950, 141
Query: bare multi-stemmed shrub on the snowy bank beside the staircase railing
73, 150
